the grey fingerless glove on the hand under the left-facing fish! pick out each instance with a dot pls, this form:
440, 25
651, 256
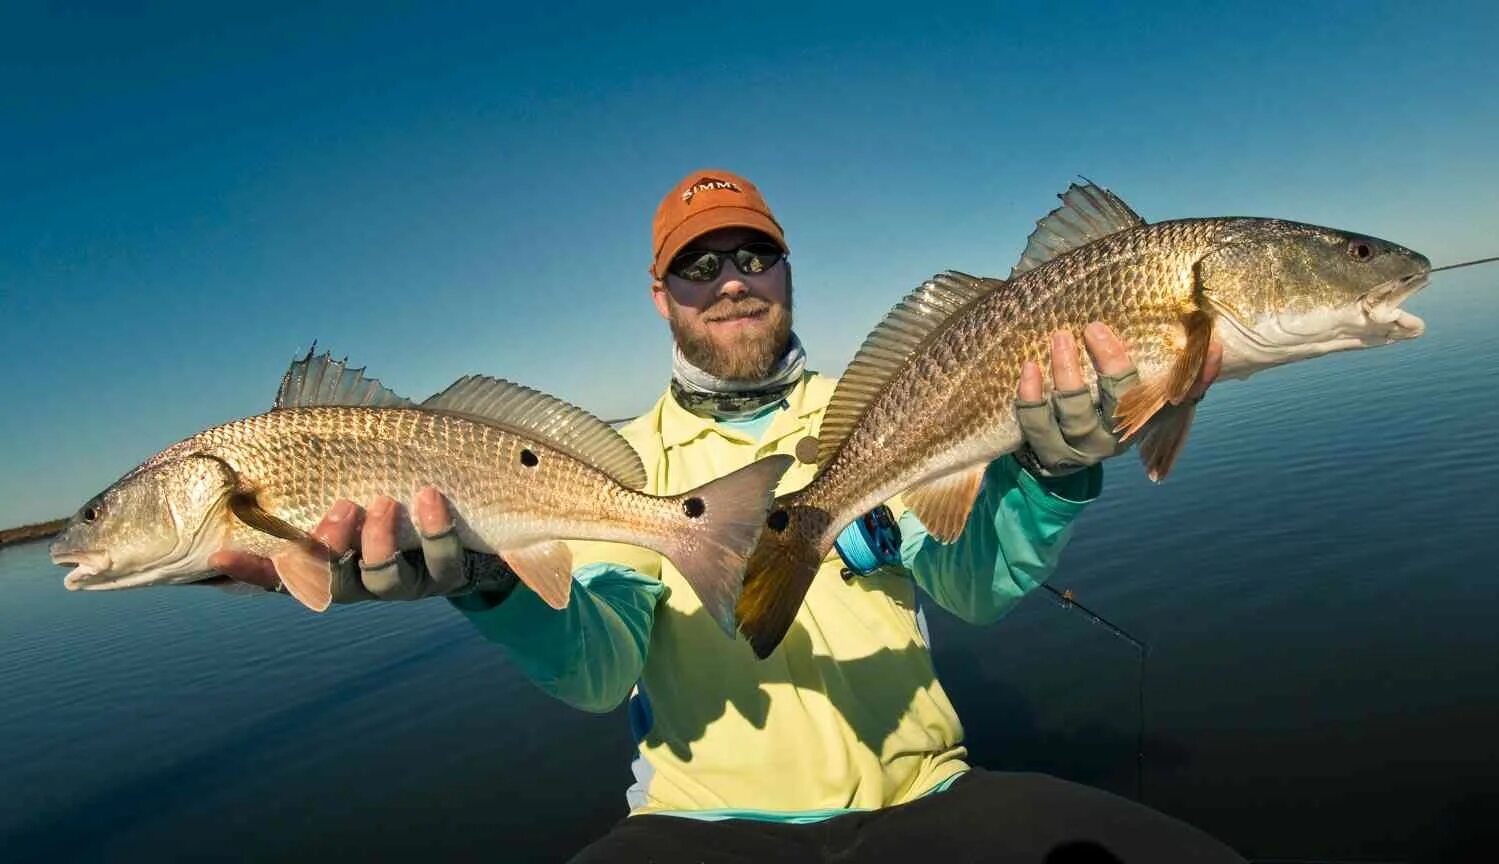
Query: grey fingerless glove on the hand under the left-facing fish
441, 569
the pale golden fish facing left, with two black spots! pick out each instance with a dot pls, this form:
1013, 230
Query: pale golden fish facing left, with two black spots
522, 472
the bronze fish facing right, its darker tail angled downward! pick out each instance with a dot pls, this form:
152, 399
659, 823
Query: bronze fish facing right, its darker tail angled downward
932, 400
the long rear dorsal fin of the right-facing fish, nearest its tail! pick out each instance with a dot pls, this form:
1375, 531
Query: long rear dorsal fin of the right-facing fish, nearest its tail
890, 347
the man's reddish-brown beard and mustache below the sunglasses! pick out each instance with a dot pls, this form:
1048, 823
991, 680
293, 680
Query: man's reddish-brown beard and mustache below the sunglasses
743, 356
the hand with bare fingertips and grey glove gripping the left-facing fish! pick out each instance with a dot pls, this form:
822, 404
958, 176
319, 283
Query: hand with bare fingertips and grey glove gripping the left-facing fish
370, 566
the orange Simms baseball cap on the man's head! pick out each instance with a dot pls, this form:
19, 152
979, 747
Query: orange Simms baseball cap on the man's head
707, 202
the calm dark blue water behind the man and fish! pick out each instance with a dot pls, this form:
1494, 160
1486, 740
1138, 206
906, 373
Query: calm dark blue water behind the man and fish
1317, 586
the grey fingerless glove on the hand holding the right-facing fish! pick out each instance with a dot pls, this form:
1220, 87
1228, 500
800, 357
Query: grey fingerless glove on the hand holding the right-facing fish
1071, 433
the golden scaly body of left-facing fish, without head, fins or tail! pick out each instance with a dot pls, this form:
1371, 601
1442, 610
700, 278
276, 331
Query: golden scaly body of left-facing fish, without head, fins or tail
302, 461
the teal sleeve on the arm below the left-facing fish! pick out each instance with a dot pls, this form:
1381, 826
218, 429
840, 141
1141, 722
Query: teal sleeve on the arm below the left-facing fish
588, 655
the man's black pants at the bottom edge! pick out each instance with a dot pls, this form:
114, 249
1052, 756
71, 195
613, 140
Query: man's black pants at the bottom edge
984, 817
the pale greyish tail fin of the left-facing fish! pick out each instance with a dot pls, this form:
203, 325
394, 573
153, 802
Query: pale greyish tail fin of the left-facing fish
726, 518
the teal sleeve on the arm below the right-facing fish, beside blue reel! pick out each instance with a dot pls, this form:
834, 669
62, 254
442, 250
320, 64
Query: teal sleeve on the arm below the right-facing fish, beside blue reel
1010, 547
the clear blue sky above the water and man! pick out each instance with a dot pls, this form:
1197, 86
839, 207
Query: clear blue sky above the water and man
190, 196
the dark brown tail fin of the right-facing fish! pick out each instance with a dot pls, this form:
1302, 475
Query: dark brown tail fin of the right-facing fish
782, 571
